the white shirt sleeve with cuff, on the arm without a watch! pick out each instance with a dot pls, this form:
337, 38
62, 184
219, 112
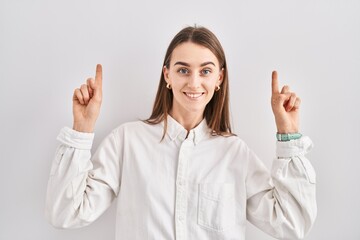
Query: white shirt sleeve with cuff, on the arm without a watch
81, 187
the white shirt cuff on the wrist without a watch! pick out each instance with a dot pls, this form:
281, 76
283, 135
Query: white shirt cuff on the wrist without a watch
76, 139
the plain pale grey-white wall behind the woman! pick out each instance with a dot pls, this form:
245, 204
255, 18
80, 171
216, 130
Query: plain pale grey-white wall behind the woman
48, 48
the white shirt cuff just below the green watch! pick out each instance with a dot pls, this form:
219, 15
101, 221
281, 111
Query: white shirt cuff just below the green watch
294, 148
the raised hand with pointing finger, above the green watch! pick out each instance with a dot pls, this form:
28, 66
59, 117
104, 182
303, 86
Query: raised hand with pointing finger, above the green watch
285, 106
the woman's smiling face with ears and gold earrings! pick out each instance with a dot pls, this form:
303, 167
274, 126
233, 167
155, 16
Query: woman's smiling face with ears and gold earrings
194, 74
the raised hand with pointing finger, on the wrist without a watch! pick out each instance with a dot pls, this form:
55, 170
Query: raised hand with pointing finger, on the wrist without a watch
87, 102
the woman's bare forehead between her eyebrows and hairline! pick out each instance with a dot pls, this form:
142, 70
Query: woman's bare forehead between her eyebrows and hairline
193, 54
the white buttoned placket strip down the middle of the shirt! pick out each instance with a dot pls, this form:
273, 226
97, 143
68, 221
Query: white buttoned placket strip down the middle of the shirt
181, 190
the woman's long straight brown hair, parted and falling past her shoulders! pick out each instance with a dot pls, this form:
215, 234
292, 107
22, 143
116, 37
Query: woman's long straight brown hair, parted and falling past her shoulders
216, 111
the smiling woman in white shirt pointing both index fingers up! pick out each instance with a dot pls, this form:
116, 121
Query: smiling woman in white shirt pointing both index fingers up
182, 173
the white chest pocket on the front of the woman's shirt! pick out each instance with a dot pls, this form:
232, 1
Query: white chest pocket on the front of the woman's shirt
216, 206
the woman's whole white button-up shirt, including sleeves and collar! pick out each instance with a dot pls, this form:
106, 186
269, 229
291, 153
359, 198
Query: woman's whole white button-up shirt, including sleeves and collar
195, 187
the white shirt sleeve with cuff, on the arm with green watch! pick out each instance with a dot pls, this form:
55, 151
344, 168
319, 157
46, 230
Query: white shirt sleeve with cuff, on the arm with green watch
283, 203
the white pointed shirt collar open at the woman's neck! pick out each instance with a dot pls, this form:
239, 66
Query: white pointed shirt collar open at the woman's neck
176, 131
